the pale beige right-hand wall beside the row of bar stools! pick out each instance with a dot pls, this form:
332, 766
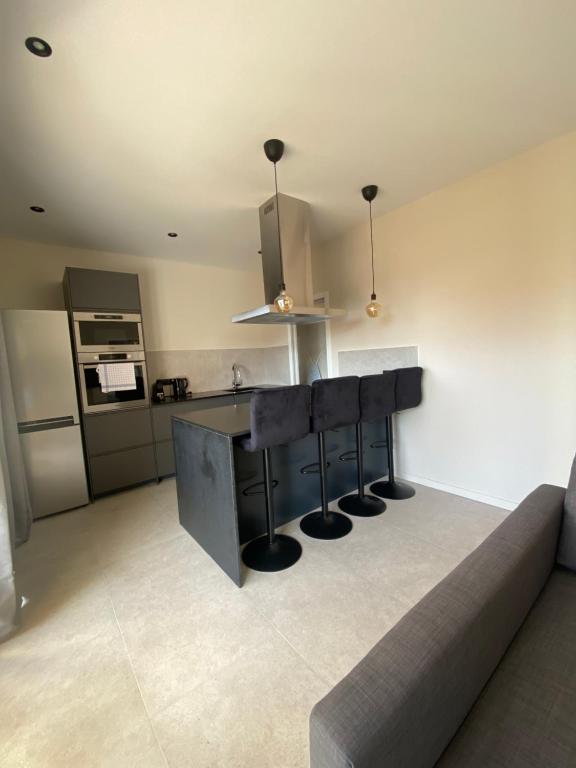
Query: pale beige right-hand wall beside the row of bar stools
481, 275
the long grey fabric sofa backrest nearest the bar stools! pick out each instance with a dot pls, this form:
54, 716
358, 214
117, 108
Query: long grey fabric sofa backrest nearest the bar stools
402, 704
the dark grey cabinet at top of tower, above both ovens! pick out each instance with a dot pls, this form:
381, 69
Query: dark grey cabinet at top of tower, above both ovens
93, 289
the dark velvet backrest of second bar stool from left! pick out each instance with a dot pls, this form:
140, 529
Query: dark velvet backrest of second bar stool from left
335, 403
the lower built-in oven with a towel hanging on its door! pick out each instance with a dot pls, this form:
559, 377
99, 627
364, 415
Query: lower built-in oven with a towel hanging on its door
93, 395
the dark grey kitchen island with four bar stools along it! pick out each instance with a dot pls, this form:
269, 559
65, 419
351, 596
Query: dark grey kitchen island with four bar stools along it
220, 486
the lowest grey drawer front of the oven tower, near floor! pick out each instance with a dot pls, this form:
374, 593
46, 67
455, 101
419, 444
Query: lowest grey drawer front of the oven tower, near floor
122, 469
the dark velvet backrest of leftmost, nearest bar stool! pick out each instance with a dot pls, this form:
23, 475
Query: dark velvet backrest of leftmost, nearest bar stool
277, 416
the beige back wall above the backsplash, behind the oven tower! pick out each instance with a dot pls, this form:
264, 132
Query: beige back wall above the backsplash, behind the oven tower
185, 306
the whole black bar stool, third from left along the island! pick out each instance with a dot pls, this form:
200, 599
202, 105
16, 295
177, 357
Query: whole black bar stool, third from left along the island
376, 399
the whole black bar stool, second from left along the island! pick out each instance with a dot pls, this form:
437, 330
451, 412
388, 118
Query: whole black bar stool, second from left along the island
334, 403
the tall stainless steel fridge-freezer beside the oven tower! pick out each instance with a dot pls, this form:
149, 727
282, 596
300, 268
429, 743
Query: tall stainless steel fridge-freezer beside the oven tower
42, 375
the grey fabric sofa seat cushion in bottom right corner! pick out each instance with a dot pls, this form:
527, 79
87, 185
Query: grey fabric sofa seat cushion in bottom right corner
526, 715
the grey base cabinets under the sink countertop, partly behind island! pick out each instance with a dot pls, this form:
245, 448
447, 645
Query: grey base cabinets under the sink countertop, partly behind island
162, 424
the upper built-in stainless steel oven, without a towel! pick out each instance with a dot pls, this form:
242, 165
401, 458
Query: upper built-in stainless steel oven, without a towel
107, 332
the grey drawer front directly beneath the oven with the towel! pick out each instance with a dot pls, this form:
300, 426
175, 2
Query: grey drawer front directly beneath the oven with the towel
117, 430
